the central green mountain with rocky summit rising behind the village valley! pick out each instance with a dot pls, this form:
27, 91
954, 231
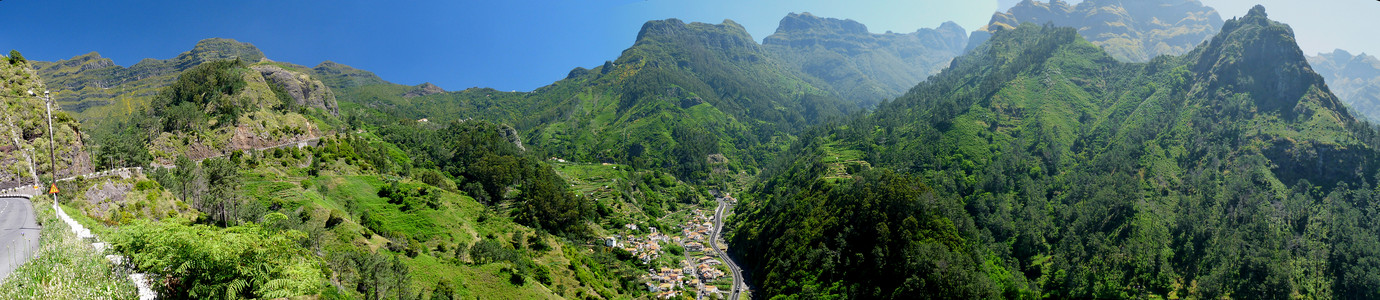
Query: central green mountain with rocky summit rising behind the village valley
684, 97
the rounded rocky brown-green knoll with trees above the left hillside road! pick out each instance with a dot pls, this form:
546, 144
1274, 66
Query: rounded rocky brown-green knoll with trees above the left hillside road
221, 107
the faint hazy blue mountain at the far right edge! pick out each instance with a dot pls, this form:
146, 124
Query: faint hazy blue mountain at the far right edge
1356, 79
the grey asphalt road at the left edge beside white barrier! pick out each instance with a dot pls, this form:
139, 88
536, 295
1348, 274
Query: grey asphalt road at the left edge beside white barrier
19, 234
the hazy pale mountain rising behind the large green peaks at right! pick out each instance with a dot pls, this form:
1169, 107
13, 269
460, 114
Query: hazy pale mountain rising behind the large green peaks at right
1130, 31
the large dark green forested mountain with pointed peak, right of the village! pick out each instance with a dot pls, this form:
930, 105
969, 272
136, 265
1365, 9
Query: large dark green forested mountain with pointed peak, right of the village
1040, 167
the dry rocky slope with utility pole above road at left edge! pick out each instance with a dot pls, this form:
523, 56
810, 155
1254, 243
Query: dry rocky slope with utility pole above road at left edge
24, 129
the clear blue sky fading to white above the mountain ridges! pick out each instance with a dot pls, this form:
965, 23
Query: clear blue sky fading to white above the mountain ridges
514, 45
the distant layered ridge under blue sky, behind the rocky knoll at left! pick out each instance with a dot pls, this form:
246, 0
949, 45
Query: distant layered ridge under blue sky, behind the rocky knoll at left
99, 91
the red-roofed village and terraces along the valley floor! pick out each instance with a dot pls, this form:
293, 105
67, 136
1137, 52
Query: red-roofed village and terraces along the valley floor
674, 250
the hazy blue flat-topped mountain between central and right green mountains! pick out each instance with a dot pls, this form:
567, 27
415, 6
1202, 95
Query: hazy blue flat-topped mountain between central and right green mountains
842, 57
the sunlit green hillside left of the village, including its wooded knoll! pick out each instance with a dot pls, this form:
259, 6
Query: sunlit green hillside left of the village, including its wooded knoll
383, 208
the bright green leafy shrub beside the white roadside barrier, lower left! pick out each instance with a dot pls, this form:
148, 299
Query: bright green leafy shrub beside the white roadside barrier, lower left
221, 263
